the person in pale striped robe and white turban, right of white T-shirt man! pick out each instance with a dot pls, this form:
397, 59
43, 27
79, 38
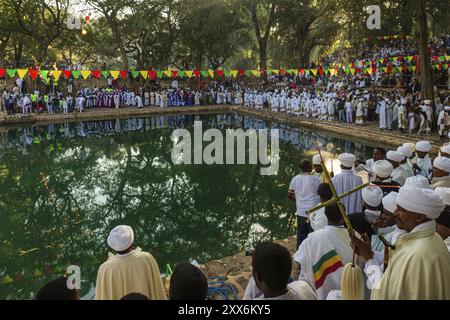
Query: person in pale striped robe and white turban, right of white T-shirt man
346, 181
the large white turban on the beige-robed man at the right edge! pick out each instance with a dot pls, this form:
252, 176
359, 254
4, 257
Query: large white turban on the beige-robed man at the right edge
423, 201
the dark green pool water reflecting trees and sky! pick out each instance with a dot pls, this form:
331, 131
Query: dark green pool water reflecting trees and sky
63, 187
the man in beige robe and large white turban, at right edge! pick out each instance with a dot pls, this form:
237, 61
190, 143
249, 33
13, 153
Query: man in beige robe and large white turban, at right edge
419, 267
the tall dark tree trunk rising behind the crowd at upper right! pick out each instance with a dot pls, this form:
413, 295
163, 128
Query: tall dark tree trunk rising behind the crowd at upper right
426, 74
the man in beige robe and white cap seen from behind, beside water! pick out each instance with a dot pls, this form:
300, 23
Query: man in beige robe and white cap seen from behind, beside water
129, 271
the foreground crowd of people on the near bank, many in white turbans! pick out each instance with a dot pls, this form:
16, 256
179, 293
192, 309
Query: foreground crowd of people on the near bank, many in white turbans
400, 225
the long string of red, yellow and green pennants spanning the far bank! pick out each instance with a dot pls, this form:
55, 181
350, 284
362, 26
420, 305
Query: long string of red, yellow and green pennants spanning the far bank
358, 67
